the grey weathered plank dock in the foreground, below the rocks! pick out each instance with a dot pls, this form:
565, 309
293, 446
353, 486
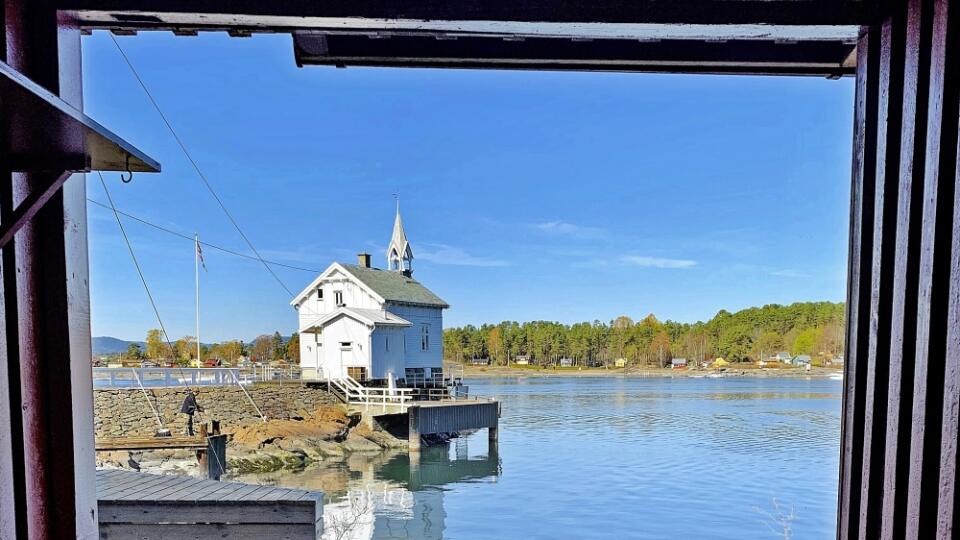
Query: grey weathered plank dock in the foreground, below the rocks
141, 505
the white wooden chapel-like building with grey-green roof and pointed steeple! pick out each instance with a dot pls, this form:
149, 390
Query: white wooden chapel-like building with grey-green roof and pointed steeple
378, 326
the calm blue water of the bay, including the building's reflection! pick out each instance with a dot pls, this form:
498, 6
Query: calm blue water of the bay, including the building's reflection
608, 458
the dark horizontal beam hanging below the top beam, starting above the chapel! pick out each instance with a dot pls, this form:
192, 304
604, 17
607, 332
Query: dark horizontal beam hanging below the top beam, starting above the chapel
826, 58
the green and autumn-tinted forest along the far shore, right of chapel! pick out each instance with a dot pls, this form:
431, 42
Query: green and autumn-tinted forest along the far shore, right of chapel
803, 328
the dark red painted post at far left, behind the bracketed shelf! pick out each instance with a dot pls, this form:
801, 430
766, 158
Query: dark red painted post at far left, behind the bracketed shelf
43, 338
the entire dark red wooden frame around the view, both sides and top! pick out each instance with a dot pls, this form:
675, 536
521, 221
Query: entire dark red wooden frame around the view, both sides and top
901, 402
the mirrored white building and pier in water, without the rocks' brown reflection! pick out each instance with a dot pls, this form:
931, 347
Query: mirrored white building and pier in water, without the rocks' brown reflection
401, 498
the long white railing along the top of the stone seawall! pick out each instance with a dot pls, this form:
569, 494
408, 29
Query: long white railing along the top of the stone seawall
166, 377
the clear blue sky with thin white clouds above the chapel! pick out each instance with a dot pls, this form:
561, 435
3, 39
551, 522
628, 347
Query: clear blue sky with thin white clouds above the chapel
525, 195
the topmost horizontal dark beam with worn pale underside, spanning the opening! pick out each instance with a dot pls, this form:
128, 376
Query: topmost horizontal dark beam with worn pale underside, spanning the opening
279, 14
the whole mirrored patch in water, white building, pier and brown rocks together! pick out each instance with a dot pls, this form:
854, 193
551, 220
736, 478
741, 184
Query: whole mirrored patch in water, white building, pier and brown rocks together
392, 494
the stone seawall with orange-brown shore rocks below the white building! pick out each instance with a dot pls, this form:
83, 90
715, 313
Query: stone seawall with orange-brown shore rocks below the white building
304, 425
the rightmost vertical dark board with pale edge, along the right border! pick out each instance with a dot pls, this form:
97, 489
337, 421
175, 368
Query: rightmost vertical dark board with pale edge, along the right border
940, 170
